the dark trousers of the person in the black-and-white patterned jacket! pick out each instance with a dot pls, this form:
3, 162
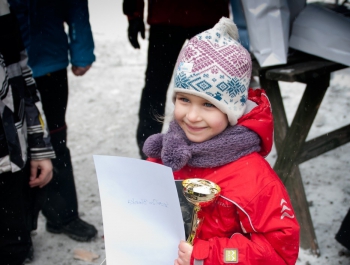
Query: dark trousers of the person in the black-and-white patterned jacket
19, 209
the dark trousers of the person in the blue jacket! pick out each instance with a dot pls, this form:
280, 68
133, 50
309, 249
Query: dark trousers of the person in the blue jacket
61, 206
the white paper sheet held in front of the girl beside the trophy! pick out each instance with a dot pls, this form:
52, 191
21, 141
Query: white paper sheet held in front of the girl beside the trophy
141, 212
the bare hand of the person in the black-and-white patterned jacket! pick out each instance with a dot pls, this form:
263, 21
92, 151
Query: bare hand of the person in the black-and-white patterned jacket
40, 172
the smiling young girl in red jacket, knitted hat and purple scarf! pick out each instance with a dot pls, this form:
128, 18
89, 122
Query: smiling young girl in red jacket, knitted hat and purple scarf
221, 132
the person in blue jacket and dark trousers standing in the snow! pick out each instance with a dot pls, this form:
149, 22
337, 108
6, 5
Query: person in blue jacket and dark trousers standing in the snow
50, 51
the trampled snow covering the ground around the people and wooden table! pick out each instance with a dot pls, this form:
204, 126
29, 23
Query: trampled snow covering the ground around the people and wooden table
102, 119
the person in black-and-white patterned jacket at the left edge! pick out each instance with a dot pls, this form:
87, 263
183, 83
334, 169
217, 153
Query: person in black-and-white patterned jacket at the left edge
25, 148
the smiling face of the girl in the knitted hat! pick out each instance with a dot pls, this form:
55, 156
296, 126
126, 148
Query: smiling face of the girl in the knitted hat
199, 118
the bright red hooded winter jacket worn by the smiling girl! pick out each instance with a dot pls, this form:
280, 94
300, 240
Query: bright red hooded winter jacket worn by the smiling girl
253, 221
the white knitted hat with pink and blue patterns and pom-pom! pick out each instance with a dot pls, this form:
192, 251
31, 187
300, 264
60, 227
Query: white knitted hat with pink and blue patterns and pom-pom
215, 66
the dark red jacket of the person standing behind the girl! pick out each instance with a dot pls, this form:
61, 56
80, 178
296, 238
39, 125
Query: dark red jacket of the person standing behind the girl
183, 13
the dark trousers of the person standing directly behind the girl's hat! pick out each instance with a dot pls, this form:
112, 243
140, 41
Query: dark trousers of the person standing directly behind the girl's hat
165, 43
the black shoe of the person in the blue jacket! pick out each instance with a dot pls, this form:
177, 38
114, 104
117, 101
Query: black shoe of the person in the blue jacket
76, 229
